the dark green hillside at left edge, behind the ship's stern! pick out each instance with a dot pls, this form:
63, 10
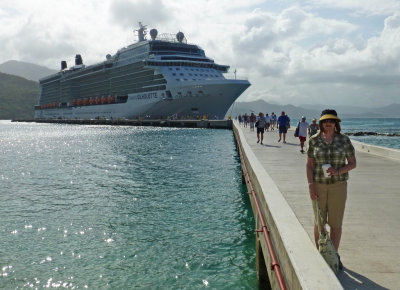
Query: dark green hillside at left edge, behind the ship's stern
17, 97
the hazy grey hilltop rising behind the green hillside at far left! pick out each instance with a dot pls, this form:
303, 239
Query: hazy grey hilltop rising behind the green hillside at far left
26, 70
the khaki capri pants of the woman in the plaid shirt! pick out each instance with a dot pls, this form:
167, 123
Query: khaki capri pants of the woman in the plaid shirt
332, 201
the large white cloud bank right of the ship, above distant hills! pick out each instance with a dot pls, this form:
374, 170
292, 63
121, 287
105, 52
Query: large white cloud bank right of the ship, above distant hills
337, 68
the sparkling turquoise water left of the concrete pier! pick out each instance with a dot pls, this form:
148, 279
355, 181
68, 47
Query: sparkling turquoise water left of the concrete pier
107, 207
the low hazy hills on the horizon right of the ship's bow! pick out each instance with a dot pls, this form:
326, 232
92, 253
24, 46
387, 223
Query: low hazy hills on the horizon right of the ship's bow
310, 111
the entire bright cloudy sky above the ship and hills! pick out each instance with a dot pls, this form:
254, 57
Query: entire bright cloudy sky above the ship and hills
331, 52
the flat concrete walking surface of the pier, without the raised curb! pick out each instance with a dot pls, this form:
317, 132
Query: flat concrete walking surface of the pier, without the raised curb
370, 245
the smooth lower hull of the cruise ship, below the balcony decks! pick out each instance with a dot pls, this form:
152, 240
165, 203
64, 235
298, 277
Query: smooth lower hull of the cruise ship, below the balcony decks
213, 101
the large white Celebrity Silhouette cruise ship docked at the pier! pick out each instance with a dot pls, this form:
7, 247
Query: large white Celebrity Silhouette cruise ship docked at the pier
162, 77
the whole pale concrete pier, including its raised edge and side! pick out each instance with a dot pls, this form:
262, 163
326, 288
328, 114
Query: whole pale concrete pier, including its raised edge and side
371, 230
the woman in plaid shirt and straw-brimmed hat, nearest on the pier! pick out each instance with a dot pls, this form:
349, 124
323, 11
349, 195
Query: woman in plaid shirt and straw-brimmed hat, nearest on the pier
329, 148
